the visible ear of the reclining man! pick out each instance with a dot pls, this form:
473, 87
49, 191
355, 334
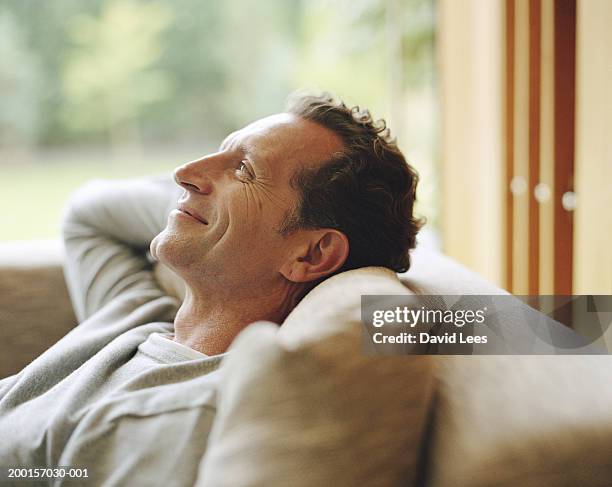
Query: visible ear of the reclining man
321, 252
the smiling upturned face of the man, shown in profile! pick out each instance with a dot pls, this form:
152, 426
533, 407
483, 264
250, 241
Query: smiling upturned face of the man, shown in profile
227, 221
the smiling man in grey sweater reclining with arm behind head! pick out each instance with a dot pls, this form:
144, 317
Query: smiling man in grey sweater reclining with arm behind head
285, 203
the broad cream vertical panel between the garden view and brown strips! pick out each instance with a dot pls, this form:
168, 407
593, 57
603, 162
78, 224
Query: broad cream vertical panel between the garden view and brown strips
470, 49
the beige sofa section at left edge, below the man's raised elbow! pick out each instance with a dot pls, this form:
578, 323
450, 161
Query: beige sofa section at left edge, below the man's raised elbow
35, 309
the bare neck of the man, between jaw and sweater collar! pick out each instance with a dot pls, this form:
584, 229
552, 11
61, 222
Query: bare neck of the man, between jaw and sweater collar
209, 323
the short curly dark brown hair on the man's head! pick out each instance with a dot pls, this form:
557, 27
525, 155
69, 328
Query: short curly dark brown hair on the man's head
367, 191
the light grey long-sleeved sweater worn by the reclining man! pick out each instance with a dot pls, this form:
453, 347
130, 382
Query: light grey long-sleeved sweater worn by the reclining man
115, 395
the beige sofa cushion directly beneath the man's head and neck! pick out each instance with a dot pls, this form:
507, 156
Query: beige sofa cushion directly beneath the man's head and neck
303, 405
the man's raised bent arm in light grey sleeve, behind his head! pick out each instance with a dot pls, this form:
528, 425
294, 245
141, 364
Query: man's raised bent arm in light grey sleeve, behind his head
107, 228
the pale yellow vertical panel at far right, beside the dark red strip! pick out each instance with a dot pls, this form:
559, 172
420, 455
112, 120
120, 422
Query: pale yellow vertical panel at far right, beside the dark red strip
593, 215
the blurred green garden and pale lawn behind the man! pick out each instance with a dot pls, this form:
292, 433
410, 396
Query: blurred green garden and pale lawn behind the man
119, 88
